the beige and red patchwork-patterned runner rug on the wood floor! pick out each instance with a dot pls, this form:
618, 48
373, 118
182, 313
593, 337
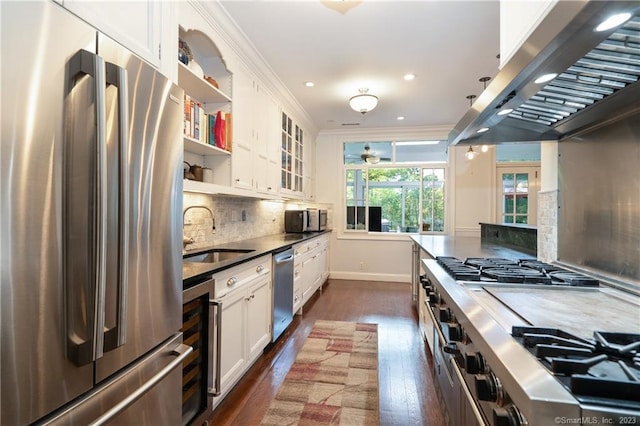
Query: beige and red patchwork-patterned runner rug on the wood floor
334, 379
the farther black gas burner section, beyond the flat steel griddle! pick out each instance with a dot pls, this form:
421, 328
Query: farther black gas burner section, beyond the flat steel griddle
525, 271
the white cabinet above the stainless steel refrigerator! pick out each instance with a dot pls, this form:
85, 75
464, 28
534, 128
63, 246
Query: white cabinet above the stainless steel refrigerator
135, 24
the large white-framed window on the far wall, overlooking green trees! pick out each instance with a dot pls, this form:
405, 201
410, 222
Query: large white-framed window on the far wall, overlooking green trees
383, 195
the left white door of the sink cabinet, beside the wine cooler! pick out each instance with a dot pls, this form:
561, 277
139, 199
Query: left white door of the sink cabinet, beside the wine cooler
233, 337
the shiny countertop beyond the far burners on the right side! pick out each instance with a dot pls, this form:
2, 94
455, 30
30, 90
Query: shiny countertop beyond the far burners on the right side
463, 247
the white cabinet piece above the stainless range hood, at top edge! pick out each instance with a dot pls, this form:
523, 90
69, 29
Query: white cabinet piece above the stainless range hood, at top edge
518, 19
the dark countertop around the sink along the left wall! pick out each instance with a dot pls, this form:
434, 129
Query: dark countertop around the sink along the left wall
192, 271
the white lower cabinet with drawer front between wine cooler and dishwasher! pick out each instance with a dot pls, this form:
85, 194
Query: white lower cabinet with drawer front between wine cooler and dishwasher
244, 292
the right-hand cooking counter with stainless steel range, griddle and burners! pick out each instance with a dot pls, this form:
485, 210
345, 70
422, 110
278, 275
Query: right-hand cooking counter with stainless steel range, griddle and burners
507, 343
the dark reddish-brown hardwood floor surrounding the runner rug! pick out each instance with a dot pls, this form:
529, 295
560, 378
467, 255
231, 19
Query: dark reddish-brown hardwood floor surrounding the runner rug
407, 394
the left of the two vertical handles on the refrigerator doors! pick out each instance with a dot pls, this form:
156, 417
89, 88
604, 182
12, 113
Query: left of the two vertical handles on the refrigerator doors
80, 351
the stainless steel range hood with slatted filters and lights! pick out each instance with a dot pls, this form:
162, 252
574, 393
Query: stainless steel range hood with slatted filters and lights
597, 80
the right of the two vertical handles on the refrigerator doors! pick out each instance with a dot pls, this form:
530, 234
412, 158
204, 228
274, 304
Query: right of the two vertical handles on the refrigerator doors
117, 76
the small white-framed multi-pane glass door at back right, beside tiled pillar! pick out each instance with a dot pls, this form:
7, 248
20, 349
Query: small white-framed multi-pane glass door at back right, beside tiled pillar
518, 188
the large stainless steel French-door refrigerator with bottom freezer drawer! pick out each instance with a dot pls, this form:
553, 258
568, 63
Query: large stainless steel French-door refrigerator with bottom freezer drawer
91, 201
